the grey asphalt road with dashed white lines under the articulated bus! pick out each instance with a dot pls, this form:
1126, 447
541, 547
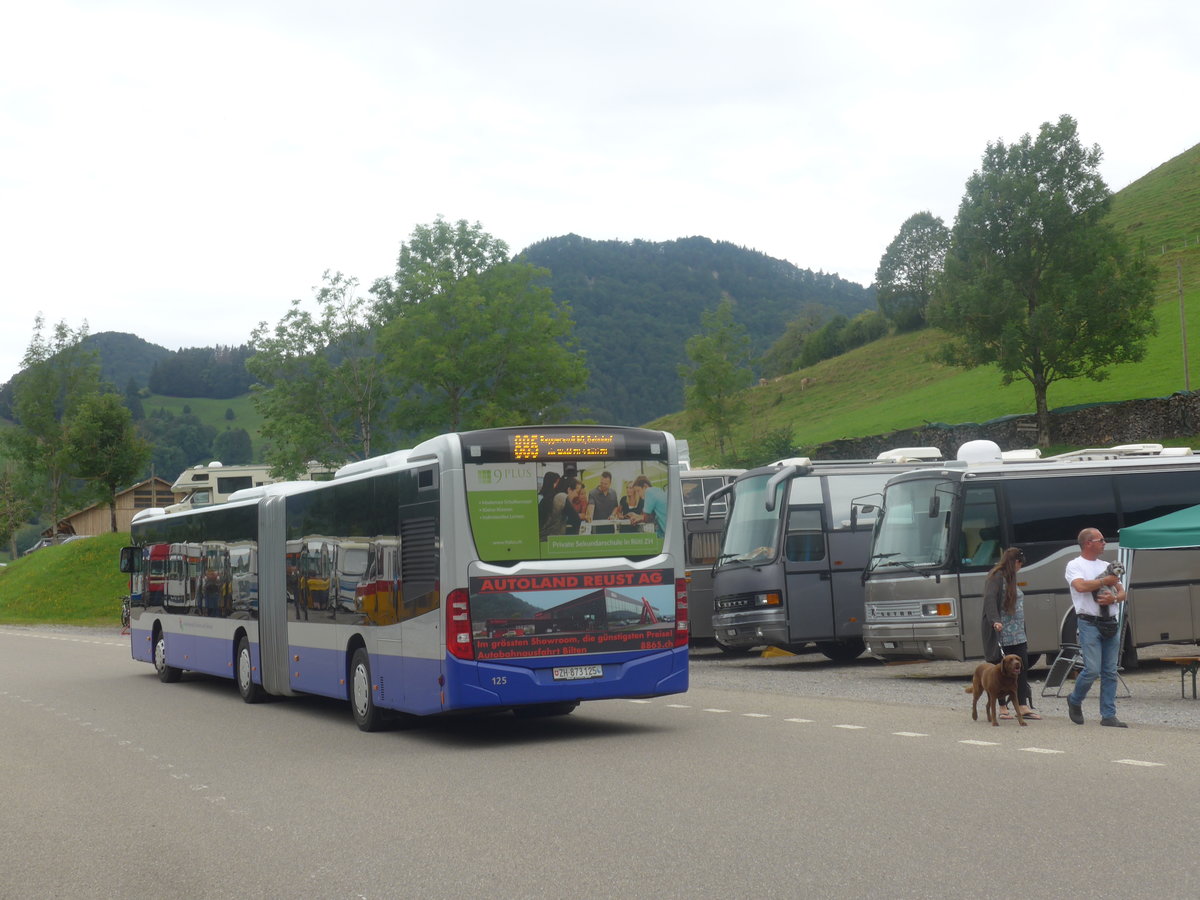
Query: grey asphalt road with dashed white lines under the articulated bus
749, 785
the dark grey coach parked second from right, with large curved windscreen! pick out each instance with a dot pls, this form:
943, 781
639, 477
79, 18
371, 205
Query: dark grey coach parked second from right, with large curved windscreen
794, 553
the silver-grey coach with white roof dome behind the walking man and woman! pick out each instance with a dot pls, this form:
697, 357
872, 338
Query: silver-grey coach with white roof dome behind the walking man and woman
943, 530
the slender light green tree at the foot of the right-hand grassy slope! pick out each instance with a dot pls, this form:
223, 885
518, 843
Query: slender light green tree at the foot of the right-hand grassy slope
719, 369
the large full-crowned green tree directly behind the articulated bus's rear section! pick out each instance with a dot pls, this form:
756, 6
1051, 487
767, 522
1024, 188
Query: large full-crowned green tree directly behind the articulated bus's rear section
476, 341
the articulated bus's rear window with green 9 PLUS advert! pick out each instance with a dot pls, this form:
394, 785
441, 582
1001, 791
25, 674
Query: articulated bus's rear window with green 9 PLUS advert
568, 509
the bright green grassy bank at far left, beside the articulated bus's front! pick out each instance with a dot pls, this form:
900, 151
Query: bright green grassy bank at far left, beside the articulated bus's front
76, 584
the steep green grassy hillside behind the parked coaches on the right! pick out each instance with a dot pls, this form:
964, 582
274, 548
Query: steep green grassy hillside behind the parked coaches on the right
892, 385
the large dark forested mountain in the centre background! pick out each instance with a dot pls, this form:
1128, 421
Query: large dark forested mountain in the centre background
637, 304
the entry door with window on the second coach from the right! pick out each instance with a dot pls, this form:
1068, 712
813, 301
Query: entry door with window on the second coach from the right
809, 589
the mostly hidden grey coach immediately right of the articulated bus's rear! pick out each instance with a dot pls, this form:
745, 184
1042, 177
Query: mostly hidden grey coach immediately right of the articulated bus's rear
703, 544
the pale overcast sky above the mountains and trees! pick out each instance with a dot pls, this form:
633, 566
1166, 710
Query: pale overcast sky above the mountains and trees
183, 170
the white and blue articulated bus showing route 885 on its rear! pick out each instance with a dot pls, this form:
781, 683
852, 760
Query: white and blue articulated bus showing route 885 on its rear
422, 583
